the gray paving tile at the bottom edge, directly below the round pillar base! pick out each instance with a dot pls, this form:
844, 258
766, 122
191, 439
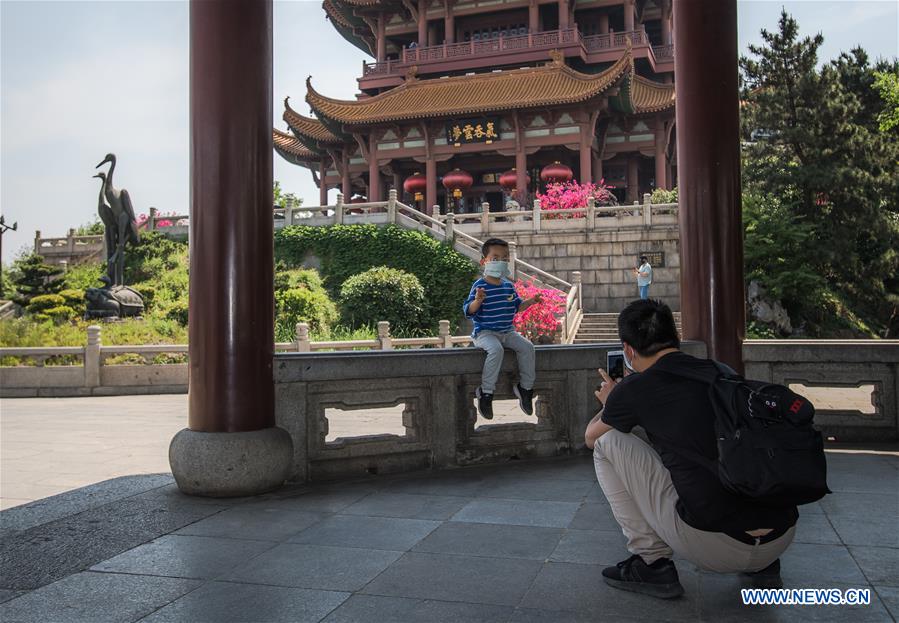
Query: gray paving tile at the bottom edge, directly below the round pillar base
224, 602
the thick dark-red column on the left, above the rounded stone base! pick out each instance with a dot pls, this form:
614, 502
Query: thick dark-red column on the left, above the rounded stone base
231, 333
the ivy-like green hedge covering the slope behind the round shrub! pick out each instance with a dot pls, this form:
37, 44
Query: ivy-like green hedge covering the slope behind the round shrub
346, 250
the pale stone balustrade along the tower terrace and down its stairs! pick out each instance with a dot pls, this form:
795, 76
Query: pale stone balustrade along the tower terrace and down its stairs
446, 230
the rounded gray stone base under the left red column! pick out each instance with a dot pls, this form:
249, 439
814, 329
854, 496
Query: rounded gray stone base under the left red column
230, 464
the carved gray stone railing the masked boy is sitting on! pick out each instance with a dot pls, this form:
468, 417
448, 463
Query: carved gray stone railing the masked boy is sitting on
435, 389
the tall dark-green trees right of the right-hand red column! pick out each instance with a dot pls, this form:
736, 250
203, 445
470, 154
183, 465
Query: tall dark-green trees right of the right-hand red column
816, 161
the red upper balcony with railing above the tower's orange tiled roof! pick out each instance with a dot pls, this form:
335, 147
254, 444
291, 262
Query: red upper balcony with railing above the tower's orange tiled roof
516, 51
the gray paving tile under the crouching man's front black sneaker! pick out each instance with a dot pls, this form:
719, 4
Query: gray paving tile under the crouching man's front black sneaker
580, 588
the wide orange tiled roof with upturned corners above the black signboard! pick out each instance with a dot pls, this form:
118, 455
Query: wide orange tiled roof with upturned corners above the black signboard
549, 85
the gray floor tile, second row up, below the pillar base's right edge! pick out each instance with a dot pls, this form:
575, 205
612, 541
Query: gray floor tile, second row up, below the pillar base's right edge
314, 566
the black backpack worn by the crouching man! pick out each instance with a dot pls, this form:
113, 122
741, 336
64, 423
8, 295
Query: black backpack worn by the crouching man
768, 449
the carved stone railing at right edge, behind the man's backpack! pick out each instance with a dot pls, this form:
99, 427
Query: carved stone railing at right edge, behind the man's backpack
836, 364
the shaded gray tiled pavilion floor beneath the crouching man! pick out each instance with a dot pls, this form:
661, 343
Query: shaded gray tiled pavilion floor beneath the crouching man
521, 542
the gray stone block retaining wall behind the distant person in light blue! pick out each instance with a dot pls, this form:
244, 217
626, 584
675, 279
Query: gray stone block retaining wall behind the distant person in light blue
606, 259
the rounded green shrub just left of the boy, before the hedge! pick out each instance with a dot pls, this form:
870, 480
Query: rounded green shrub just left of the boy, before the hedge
383, 293
